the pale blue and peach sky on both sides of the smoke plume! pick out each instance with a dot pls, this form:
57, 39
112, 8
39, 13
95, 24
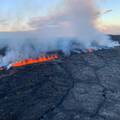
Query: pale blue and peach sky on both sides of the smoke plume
14, 14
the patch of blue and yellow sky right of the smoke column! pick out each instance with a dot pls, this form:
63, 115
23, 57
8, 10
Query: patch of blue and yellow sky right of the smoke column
111, 21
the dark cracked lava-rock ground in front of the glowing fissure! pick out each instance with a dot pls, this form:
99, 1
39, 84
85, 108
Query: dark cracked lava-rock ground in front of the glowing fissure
78, 87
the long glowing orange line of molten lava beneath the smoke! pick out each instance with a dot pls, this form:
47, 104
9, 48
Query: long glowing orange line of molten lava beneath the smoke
33, 61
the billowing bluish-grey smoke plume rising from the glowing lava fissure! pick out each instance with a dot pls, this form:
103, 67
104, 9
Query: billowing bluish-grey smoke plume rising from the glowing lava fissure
71, 27
